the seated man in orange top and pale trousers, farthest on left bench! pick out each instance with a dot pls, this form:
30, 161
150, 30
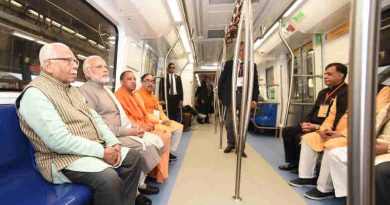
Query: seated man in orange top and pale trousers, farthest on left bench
155, 113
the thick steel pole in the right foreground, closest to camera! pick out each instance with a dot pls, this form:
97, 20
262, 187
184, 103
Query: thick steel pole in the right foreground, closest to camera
363, 57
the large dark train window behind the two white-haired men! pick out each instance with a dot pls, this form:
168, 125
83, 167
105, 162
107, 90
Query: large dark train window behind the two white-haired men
26, 25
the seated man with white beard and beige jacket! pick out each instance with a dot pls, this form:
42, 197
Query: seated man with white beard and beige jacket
104, 102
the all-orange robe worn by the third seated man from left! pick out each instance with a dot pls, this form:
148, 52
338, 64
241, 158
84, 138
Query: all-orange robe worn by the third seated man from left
137, 114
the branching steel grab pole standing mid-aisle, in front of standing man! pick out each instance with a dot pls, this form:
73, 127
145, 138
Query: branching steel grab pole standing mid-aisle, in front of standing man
244, 16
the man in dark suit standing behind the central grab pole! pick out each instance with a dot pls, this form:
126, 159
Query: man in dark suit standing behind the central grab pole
224, 94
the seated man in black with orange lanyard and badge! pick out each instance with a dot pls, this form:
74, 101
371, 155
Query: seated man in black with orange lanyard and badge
334, 76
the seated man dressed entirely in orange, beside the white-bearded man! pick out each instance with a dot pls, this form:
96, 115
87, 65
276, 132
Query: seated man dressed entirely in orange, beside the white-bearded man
137, 114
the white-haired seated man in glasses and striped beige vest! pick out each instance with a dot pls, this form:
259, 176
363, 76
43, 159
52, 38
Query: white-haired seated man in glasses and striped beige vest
71, 141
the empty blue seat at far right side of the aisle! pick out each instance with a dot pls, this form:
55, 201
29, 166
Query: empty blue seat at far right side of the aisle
267, 115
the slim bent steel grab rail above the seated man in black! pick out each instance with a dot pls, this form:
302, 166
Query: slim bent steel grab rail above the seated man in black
291, 78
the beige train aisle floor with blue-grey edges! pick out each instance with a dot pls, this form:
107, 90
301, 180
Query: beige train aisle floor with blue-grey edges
204, 175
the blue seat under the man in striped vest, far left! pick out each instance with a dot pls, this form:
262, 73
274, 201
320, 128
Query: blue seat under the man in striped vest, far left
20, 182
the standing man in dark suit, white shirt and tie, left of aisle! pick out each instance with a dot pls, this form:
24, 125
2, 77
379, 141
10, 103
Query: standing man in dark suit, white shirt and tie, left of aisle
175, 92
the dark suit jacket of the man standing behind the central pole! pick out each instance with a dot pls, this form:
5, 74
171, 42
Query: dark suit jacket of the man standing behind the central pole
225, 84
